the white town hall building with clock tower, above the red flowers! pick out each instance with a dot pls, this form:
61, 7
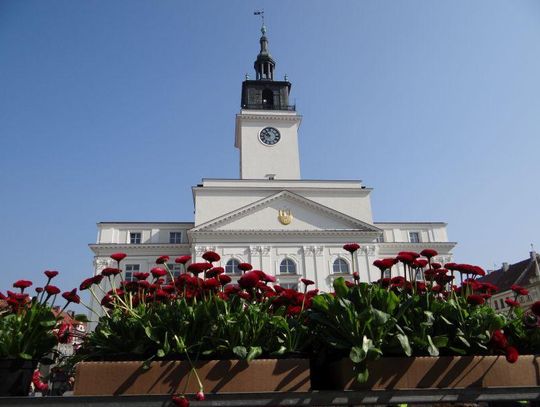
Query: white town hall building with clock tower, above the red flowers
270, 217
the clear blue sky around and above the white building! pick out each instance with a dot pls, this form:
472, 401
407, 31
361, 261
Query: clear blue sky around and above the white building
112, 110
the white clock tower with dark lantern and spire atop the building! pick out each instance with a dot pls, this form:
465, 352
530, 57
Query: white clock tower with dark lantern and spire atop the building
267, 125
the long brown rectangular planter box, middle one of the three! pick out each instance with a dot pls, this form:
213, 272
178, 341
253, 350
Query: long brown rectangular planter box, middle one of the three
168, 377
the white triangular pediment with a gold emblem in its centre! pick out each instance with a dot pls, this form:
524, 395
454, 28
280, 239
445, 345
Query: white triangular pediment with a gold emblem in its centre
285, 211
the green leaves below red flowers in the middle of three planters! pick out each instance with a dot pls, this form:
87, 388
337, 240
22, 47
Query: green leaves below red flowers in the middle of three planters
209, 328
